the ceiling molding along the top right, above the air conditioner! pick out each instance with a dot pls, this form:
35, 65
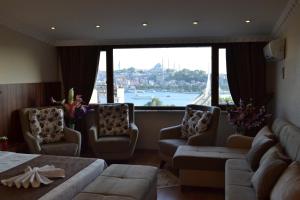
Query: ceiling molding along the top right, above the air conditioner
286, 13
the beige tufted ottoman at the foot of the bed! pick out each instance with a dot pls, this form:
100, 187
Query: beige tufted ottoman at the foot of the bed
122, 182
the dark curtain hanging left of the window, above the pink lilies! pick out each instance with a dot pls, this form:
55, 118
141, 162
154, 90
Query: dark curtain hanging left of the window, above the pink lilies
79, 69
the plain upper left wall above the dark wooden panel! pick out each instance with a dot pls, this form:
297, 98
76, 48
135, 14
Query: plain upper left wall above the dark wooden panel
25, 60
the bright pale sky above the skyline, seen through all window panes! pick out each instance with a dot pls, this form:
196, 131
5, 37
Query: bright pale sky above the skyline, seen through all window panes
177, 58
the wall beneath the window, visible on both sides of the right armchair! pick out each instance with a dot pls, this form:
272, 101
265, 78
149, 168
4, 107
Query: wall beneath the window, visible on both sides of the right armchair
150, 123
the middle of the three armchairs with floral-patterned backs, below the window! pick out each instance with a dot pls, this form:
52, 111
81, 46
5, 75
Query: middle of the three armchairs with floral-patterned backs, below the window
112, 133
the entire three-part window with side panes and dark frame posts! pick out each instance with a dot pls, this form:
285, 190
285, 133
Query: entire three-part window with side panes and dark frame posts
164, 77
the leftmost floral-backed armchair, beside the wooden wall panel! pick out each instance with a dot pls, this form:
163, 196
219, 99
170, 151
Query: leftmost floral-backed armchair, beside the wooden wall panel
45, 133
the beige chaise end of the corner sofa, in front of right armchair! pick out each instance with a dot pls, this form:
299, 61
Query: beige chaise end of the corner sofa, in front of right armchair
204, 166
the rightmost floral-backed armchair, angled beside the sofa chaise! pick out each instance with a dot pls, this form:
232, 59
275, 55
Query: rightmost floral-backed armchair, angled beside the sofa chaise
172, 137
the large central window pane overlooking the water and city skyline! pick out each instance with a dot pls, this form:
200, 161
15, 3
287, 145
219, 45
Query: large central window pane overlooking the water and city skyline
163, 76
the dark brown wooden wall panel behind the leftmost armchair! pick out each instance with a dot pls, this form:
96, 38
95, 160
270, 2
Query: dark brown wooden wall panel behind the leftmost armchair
16, 96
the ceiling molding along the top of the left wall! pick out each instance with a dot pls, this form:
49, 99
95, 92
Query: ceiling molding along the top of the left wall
21, 28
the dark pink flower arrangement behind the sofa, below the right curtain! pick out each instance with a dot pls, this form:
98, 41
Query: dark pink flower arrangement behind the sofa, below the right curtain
248, 118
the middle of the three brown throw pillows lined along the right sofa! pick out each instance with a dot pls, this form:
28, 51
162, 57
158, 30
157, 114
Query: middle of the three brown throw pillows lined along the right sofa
266, 176
